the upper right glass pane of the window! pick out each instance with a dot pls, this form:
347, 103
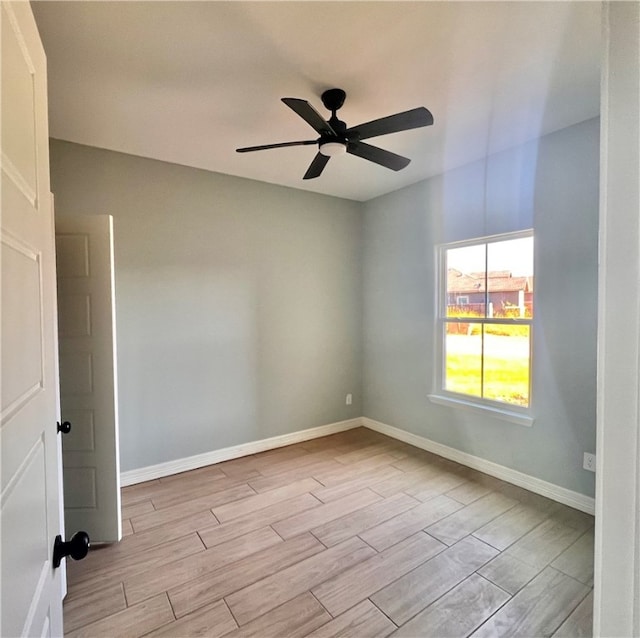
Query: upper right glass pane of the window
510, 277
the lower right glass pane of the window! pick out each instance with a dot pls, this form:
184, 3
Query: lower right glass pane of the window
506, 363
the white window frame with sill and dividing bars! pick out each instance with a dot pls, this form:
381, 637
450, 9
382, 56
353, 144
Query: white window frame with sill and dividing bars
505, 411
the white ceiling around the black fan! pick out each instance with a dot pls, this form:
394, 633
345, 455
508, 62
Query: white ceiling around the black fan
189, 82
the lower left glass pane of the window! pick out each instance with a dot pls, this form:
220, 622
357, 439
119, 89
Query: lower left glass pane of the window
463, 358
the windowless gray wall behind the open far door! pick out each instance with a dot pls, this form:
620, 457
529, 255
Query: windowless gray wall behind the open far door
238, 303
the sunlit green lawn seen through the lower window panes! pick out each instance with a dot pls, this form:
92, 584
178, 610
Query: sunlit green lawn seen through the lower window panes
506, 367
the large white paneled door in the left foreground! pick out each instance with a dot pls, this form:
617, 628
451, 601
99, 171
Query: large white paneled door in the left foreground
30, 500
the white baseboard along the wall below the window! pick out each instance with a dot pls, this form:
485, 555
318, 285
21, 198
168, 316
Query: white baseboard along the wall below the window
531, 483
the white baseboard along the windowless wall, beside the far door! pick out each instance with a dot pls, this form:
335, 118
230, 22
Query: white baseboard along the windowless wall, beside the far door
151, 472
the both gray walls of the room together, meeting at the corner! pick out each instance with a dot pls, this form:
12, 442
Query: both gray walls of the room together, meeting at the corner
247, 310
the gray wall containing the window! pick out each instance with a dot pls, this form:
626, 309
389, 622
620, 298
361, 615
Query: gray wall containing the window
550, 185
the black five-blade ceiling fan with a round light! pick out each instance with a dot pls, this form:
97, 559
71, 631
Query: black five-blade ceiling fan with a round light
336, 139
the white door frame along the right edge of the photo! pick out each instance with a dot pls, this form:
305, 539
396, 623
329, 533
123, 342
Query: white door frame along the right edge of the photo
617, 530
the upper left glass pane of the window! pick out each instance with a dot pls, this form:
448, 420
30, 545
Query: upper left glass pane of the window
465, 294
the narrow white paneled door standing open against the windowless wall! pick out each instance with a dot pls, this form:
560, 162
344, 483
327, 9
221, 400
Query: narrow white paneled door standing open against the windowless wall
88, 386
